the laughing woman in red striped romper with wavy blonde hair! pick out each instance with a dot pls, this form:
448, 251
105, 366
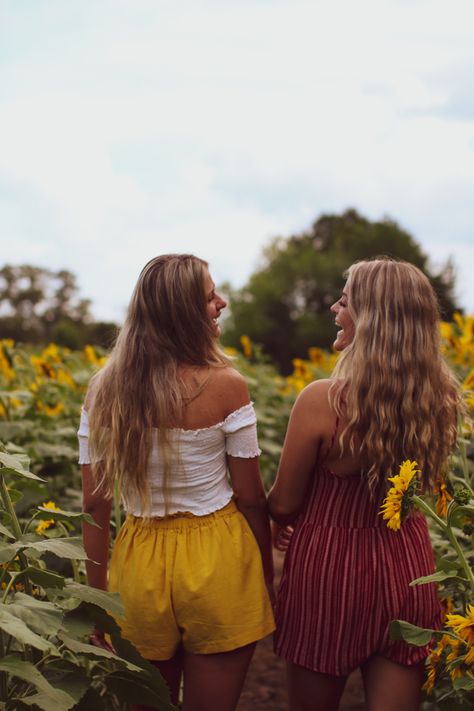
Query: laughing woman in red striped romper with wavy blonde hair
391, 397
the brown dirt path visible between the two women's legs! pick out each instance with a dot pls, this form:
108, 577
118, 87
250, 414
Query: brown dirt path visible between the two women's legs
265, 688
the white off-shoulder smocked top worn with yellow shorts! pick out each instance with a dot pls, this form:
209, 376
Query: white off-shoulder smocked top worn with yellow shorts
198, 482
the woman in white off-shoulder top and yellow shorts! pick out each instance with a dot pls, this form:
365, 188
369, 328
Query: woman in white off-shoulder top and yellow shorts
167, 419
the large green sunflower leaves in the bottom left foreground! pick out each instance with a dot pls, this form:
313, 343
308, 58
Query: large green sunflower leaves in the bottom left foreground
46, 660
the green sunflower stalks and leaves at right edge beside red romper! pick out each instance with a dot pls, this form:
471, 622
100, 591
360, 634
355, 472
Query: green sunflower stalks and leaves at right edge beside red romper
450, 683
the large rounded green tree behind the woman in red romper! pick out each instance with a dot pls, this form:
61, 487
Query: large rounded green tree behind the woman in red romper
285, 304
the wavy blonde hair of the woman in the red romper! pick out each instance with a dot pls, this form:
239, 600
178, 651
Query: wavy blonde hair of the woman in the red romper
391, 385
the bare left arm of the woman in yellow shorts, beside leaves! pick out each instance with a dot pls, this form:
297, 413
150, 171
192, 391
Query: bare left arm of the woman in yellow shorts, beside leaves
96, 540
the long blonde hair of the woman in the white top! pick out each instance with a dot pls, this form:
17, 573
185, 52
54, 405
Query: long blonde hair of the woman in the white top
139, 388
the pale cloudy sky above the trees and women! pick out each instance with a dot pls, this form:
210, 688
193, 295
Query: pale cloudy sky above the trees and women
131, 128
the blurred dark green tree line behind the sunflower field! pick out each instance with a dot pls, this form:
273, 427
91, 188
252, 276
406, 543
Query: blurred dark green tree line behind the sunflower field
284, 306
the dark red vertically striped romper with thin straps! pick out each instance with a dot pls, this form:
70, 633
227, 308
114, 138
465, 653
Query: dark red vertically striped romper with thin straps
346, 577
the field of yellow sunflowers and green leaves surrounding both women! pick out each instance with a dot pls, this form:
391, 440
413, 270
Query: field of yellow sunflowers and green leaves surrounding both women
47, 611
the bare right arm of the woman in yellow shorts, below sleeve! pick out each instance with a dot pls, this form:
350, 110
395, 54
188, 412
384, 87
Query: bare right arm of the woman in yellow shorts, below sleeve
251, 501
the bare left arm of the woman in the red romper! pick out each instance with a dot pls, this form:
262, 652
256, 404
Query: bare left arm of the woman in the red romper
308, 422
